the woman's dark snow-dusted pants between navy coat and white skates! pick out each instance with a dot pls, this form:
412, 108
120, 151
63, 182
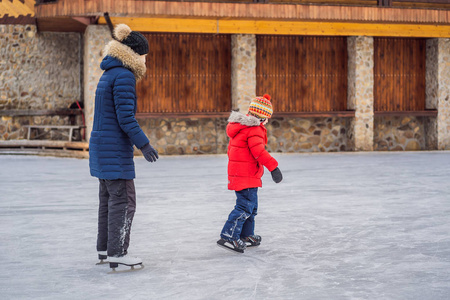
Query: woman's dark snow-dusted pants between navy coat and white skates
115, 215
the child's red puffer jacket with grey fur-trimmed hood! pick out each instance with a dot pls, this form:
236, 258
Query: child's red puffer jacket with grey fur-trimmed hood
246, 152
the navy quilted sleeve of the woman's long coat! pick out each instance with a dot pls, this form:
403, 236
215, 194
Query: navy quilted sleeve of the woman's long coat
124, 93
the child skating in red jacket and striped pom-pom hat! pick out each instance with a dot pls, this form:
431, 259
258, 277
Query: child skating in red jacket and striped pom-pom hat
246, 158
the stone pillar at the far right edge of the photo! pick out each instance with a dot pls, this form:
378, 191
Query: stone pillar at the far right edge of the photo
438, 93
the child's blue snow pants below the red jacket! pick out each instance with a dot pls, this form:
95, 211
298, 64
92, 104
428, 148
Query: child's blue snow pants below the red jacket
241, 221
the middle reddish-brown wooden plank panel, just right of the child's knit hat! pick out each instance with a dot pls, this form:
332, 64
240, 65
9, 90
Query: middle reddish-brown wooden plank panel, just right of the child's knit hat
303, 74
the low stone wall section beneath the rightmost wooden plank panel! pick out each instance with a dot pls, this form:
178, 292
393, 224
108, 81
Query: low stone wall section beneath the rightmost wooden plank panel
400, 133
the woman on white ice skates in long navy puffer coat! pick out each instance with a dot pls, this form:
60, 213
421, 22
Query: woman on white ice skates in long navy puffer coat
115, 132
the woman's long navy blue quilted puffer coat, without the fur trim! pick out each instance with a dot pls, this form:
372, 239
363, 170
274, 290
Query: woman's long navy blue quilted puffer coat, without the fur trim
115, 128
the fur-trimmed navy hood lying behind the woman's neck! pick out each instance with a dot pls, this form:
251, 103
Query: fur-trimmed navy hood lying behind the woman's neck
118, 55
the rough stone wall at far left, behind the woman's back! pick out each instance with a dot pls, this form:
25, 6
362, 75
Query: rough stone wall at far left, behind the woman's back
38, 71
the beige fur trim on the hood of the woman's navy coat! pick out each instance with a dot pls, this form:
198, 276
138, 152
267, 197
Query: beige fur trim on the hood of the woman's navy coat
130, 59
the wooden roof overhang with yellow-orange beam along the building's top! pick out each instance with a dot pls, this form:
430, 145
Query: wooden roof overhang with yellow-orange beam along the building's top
247, 18
